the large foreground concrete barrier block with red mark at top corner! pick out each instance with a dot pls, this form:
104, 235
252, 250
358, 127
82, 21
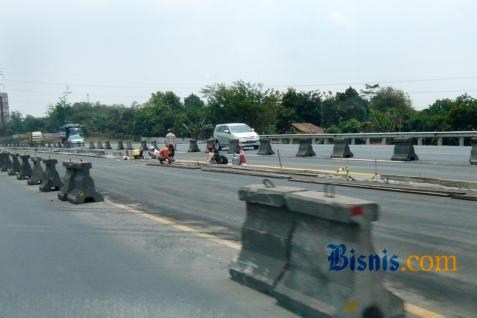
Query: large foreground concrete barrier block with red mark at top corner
308, 286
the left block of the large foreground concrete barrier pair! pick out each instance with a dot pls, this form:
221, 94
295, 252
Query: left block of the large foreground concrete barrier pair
265, 237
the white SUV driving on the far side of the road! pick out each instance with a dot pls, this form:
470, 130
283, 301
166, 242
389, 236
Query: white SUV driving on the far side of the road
246, 136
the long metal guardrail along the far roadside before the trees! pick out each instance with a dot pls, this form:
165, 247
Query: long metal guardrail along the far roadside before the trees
426, 134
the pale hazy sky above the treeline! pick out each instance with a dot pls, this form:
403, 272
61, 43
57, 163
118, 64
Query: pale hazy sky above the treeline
119, 52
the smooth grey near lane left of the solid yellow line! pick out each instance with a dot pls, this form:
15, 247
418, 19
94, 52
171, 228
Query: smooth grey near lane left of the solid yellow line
98, 260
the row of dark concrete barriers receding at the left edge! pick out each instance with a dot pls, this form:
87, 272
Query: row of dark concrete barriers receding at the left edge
76, 187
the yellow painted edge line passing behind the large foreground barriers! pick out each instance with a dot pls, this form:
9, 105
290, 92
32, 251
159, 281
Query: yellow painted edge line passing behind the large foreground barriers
410, 308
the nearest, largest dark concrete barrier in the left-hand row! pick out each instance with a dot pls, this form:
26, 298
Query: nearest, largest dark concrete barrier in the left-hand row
79, 186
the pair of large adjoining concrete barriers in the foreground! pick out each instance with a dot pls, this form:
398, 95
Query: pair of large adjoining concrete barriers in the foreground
284, 252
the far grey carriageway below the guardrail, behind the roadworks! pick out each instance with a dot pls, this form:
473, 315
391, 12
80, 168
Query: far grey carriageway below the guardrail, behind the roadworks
447, 162
